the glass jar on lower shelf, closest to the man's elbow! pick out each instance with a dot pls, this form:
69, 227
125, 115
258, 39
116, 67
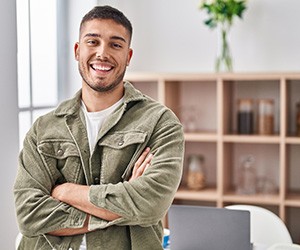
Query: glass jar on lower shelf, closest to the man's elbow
195, 172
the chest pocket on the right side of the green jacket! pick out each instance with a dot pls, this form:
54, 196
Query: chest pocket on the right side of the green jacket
118, 150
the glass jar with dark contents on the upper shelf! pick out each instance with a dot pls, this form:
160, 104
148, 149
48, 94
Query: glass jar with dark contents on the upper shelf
245, 116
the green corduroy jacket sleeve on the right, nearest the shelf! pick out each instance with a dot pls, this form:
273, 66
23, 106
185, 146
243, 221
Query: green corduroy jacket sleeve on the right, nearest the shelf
145, 200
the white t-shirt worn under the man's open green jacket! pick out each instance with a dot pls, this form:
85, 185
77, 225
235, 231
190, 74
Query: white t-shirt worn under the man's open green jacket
94, 121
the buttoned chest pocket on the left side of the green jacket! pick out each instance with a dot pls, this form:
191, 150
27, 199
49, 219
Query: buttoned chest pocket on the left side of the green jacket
62, 160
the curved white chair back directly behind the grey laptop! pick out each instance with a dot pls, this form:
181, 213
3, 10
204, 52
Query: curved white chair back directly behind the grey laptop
267, 228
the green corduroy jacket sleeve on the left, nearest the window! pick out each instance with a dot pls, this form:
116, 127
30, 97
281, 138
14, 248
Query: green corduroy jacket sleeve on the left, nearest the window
37, 212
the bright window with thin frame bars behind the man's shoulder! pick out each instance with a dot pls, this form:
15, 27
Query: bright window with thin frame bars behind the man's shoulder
37, 60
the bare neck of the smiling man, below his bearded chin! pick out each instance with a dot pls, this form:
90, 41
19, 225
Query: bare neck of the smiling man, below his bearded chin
97, 101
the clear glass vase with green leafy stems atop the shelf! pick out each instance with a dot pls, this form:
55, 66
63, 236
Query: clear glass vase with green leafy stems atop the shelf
221, 14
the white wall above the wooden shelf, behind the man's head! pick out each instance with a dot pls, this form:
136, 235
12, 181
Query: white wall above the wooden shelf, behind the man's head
169, 36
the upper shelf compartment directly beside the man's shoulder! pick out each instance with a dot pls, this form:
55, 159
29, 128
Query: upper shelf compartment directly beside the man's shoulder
195, 103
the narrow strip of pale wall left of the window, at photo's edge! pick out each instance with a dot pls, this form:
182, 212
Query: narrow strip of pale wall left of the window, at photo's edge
9, 122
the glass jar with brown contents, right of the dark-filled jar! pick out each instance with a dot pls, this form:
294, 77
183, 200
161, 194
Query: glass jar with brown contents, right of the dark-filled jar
265, 119
